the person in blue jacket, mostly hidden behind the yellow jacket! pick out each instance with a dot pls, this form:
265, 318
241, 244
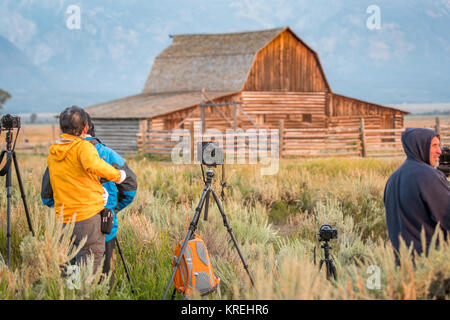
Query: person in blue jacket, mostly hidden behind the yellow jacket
118, 196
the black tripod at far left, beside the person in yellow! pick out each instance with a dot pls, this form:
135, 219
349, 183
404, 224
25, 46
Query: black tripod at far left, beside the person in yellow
6, 170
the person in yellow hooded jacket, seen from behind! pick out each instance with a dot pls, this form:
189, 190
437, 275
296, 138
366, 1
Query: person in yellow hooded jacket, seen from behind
74, 170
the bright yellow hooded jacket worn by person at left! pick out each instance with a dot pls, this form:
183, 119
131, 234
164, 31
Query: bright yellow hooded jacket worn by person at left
74, 167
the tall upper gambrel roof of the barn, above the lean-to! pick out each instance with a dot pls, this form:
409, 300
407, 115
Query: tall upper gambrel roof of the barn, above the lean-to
216, 62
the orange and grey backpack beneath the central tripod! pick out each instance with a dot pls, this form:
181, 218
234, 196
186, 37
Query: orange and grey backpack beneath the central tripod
195, 270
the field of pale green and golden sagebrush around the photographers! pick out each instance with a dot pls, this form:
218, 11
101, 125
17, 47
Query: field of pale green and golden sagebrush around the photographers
275, 220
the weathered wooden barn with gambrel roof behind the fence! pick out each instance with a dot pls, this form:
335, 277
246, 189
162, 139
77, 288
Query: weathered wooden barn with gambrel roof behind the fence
255, 79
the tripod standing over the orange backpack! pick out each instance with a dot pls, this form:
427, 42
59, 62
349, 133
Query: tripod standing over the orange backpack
194, 223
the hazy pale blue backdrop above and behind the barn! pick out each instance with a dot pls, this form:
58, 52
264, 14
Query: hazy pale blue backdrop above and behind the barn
406, 59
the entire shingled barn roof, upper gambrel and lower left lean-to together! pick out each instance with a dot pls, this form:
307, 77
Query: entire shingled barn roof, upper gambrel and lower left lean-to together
217, 63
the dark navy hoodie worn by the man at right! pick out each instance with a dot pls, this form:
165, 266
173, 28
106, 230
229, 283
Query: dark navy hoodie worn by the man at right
416, 195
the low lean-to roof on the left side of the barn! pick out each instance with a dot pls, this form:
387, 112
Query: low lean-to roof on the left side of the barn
148, 105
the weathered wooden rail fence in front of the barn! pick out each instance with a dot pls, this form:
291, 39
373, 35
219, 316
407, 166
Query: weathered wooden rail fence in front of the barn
306, 142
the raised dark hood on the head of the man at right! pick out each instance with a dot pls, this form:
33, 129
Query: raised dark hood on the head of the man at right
416, 143
